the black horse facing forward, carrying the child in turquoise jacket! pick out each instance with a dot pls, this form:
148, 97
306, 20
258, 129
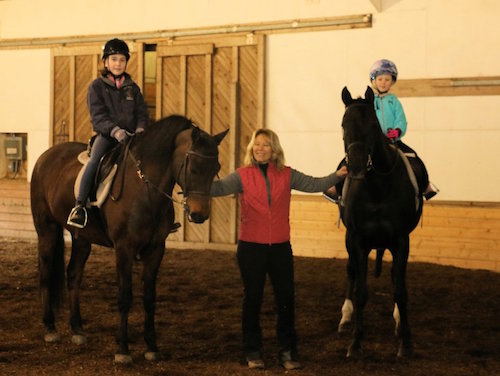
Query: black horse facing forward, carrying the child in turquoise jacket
381, 206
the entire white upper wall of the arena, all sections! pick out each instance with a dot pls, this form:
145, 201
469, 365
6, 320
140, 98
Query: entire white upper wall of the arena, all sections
457, 137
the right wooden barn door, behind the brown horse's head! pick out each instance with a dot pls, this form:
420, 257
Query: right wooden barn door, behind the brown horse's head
218, 83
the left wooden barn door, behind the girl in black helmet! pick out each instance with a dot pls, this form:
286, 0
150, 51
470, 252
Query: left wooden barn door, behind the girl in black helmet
73, 69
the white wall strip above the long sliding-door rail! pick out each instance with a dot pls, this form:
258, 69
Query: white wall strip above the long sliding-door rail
52, 18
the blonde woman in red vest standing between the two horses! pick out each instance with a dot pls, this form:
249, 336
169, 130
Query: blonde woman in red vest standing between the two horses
264, 186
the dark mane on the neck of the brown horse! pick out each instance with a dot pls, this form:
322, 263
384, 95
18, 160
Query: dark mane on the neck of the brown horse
158, 141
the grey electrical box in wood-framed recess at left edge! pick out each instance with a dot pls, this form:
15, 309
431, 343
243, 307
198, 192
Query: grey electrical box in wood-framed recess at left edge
13, 156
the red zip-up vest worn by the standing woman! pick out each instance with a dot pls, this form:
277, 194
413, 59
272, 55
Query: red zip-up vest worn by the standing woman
261, 222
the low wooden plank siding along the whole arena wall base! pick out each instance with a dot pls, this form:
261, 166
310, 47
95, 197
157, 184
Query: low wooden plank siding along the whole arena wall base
459, 234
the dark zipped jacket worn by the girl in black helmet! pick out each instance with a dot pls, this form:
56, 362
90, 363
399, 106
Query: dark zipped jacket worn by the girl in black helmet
110, 107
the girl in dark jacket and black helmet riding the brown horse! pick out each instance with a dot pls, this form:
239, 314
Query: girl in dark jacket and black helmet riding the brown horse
117, 111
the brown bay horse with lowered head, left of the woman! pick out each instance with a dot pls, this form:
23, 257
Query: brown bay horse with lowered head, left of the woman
136, 223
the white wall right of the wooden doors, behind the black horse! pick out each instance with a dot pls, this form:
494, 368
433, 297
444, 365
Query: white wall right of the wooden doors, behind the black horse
457, 137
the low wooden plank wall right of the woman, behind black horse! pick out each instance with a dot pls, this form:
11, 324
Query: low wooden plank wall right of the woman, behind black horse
458, 234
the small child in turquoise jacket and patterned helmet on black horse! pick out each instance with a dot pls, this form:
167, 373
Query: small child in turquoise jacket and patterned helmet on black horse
390, 113
